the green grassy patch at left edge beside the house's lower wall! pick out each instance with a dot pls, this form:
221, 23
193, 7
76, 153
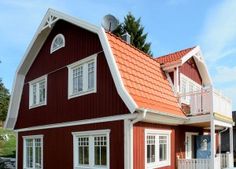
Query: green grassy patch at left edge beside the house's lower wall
7, 147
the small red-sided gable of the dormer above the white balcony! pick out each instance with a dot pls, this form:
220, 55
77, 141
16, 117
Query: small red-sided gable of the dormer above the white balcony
190, 70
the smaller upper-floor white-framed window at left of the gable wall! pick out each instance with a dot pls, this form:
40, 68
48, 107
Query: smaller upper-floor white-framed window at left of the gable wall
38, 91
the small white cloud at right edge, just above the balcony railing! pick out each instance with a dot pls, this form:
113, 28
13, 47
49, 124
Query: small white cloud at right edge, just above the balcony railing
225, 74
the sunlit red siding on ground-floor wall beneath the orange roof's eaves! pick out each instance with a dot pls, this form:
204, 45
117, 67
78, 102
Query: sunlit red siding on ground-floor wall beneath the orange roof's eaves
177, 142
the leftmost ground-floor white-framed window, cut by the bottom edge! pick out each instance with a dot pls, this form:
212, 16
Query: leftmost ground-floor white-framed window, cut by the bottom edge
33, 148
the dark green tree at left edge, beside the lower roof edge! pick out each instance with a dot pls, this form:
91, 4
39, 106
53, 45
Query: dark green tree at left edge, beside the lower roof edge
4, 101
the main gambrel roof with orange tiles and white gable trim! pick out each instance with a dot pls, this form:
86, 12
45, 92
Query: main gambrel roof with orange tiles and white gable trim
139, 80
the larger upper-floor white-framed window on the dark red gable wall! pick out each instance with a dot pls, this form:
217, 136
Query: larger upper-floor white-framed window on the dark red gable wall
82, 77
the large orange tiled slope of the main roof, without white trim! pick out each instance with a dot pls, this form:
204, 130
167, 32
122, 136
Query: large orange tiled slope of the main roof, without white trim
143, 78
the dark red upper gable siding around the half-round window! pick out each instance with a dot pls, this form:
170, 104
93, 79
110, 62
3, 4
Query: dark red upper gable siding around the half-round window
79, 44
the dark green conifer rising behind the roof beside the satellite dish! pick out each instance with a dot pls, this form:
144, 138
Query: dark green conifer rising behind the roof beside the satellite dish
136, 31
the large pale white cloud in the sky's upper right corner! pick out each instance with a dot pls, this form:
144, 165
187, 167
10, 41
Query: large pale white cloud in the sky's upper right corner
219, 33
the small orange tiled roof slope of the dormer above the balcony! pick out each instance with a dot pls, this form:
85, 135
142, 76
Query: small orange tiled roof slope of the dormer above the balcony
173, 56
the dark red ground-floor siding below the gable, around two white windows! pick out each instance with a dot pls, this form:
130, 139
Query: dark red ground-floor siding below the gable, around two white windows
58, 145
